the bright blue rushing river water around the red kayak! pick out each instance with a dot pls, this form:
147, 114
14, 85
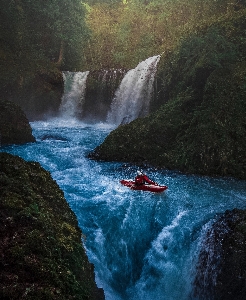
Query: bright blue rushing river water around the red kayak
143, 245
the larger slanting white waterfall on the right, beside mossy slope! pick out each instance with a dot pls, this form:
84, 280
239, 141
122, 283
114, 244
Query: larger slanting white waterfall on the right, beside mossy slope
133, 96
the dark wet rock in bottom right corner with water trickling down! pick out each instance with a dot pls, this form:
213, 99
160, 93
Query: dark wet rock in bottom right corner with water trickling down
221, 269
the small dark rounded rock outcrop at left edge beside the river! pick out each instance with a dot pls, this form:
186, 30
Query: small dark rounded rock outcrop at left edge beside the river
14, 126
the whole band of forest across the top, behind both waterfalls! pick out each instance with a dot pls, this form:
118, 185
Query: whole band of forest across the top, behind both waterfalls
37, 36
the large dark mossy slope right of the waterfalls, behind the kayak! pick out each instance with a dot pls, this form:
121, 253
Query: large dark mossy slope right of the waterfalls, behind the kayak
202, 125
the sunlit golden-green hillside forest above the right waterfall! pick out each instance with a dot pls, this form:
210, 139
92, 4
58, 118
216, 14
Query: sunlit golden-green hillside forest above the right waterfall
130, 31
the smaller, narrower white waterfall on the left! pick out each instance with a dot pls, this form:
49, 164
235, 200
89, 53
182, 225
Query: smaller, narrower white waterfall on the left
74, 92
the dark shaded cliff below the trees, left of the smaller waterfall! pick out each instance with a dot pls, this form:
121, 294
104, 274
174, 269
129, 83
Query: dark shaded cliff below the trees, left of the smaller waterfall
38, 93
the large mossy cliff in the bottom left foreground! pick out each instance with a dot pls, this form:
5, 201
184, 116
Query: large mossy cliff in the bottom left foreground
42, 256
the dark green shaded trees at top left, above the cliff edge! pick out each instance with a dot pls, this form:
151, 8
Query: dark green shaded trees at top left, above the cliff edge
34, 34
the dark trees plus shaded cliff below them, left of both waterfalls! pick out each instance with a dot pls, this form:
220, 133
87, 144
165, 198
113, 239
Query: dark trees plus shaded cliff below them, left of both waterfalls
37, 40
